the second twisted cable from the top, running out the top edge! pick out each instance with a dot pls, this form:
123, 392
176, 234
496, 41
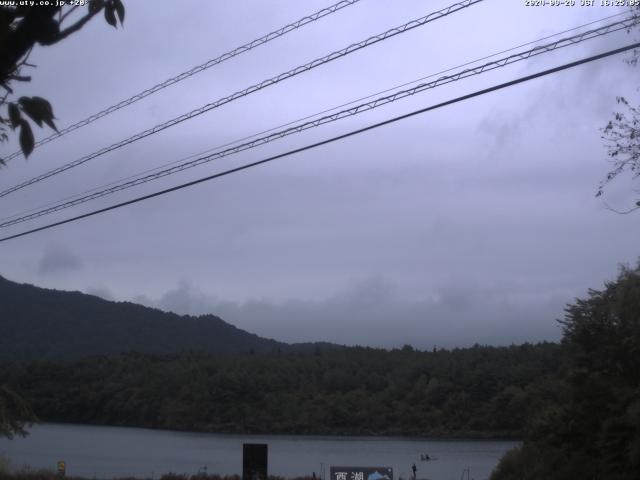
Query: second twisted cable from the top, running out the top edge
254, 88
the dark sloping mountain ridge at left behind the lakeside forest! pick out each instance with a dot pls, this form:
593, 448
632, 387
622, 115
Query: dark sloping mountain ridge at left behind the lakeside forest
42, 323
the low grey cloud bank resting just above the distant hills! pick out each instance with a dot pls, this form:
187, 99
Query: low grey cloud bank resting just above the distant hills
372, 312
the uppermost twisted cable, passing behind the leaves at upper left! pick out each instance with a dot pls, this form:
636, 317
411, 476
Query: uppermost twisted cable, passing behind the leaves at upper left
195, 70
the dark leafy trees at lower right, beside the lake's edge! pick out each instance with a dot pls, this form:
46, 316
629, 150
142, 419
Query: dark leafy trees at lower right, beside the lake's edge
593, 430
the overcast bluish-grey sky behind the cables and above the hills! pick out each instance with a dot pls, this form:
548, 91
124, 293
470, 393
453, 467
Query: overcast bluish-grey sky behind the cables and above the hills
472, 223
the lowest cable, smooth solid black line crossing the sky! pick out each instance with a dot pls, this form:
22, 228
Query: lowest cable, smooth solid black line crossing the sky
332, 139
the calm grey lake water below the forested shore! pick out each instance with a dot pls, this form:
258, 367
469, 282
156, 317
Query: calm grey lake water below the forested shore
107, 452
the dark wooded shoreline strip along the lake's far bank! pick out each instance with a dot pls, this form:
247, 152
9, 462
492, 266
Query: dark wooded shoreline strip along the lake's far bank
473, 392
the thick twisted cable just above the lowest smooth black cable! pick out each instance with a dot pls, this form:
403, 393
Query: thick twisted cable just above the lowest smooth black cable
538, 50
